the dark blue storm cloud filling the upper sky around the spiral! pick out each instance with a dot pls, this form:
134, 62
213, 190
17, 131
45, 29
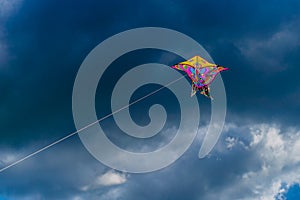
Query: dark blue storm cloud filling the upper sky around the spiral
47, 41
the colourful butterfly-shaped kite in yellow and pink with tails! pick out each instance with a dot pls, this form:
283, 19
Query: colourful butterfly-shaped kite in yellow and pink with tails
201, 72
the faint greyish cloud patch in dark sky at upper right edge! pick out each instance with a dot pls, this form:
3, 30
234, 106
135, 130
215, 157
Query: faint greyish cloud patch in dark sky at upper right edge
269, 53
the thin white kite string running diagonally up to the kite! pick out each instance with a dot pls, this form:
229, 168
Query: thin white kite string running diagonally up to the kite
87, 126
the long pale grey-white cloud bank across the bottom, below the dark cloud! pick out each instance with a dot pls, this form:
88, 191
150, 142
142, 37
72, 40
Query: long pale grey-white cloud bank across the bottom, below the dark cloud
256, 160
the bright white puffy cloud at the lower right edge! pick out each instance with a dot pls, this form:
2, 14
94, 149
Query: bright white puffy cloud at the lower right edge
278, 151
